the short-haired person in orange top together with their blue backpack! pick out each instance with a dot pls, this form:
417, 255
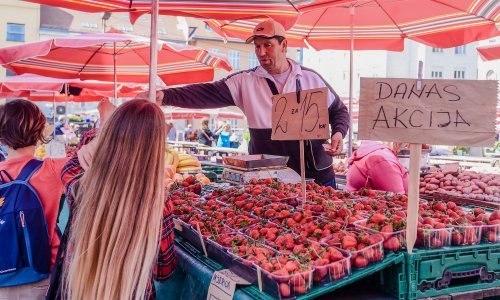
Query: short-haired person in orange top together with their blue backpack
30, 191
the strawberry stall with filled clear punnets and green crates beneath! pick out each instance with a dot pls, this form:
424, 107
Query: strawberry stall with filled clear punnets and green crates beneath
268, 213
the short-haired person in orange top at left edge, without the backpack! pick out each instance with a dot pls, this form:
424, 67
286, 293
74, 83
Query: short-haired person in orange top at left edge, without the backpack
22, 126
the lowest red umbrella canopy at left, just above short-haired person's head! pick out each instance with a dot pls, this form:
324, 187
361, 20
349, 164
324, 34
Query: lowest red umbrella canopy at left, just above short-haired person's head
41, 88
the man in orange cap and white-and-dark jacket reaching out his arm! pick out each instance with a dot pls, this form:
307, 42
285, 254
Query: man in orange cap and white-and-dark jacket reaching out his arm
252, 90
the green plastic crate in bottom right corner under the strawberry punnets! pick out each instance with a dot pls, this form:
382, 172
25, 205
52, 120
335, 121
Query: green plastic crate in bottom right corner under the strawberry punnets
437, 272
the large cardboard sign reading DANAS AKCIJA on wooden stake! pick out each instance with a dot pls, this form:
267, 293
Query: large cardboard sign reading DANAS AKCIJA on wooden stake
444, 112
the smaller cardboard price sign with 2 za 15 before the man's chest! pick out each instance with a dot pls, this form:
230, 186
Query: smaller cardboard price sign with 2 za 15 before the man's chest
306, 119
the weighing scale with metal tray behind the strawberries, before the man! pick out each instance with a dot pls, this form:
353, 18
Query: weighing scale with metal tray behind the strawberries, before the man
241, 168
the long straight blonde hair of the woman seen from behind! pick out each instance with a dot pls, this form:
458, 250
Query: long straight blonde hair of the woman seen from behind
119, 206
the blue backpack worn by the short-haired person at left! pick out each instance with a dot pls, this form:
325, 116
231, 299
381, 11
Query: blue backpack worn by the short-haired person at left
25, 250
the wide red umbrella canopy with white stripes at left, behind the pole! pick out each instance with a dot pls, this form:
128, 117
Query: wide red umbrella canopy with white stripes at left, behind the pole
94, 56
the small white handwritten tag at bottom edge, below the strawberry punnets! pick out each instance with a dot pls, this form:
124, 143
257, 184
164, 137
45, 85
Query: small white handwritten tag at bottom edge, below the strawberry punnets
223, 285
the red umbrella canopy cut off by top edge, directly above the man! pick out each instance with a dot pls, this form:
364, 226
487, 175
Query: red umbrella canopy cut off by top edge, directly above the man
284, 11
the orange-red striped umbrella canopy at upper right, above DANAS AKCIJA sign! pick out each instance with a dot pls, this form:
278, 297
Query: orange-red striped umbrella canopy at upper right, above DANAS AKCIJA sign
384, 24
